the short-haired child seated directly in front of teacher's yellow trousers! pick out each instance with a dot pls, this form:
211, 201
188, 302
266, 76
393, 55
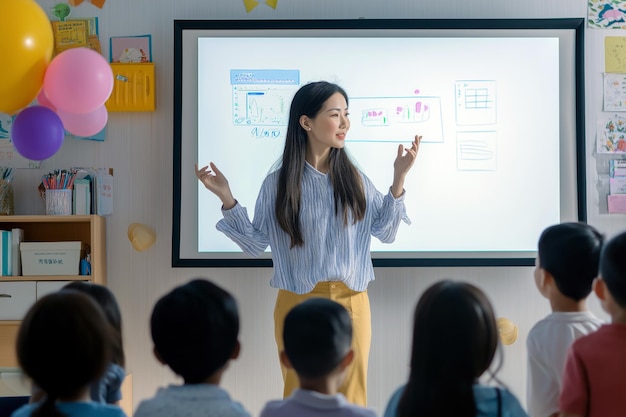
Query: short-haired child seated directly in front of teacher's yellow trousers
318, 335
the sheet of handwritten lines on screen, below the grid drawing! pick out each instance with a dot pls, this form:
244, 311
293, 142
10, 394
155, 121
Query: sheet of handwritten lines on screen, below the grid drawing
476, 151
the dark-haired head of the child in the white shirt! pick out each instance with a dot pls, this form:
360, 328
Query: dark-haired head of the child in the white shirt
570, 252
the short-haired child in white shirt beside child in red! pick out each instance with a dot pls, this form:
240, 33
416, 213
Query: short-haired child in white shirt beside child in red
567, 264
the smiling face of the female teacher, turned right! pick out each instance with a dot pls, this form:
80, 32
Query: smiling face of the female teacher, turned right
329, 127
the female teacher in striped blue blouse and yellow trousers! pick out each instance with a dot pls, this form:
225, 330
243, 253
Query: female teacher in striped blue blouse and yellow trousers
317, 213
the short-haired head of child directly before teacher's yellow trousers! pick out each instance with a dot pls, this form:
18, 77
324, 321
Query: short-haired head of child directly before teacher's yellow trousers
317, 335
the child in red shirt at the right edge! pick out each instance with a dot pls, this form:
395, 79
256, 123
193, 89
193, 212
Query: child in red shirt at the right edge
595, 370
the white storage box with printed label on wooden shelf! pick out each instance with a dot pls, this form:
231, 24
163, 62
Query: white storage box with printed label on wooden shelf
52, 258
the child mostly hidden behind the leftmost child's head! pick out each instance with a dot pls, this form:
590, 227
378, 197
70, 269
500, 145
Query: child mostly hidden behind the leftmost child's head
108, 388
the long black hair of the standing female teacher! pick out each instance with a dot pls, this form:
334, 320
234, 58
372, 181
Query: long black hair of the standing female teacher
347, 184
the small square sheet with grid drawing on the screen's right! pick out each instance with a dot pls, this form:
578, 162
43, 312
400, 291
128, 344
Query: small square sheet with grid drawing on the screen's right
475, 102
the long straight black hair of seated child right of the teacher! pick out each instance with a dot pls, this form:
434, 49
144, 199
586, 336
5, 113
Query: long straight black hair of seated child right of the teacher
455, 339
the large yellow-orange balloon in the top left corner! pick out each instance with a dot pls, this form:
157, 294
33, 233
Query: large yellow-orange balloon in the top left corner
26, 44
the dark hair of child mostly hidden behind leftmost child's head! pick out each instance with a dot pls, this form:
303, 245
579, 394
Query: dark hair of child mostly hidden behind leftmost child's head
108, 303
